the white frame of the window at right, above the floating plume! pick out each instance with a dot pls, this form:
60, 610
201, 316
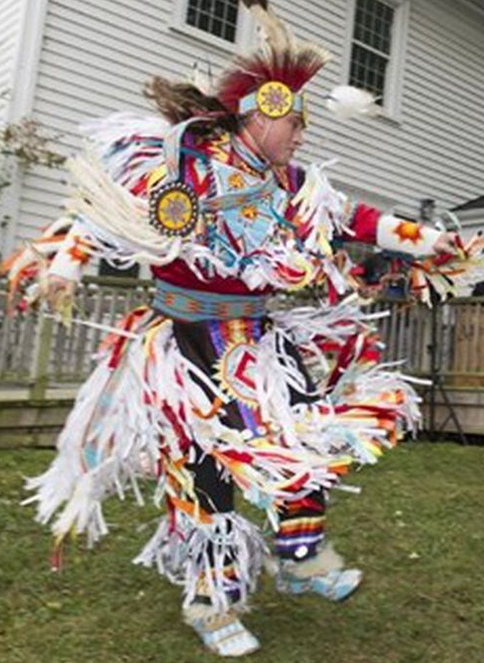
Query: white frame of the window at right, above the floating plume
392, 96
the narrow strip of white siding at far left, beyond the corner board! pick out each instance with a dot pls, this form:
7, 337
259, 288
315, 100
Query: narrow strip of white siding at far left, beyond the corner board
10, 18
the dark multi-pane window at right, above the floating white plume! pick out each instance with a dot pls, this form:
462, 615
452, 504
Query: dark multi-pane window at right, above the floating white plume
377, 48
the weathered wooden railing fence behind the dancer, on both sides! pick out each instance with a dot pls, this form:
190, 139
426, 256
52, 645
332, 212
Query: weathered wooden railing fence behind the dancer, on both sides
38, 352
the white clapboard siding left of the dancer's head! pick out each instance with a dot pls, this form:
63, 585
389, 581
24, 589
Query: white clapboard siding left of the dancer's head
95, 59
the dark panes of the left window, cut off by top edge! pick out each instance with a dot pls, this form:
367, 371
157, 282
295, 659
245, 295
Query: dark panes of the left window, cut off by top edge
217, 17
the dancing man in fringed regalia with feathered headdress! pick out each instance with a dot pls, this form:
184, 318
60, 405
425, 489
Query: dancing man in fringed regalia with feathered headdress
205, 386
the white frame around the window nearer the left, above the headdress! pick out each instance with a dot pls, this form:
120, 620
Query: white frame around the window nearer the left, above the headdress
244, 33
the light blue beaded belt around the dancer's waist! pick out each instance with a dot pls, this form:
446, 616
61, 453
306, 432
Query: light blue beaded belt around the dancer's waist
196, 305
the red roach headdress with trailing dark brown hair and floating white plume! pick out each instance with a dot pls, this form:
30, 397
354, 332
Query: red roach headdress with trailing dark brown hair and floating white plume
270, 80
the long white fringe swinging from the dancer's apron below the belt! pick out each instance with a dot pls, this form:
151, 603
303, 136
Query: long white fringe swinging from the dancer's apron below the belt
113, 418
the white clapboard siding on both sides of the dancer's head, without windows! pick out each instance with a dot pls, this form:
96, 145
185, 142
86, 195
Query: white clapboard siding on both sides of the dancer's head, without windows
96, 57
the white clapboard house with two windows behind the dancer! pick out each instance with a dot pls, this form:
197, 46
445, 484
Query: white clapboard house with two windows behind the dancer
63, 61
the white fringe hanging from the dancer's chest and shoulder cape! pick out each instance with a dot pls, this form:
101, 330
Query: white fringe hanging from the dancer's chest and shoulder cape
117, 224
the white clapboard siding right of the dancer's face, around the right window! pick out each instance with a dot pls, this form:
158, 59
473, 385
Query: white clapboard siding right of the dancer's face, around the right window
437, 150
